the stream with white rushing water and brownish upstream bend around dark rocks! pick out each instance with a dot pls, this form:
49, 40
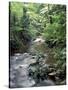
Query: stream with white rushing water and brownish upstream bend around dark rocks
19, 64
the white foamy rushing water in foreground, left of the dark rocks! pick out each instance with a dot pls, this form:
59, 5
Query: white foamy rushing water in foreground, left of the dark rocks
19, 73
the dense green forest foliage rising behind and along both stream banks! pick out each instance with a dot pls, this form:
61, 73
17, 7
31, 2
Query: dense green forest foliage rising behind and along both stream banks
28, 21
